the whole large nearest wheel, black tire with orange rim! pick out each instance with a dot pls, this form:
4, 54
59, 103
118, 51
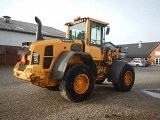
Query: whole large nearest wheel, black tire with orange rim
77, 83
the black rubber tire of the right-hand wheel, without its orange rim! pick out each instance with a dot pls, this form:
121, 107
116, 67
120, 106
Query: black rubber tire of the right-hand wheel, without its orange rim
120, 85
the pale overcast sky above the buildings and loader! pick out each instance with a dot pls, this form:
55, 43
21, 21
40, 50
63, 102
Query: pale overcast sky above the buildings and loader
131, 21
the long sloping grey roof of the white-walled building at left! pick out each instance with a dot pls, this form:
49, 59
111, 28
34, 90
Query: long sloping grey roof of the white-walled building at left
29, 28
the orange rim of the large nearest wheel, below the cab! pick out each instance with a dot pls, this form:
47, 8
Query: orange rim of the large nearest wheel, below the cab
81, 83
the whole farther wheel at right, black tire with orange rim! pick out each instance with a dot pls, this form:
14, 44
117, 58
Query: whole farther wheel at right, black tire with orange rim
126, 79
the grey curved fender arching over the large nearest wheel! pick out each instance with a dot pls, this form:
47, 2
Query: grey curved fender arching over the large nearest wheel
60, 65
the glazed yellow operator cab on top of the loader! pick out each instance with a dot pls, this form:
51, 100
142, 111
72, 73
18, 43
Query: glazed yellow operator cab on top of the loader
91, 31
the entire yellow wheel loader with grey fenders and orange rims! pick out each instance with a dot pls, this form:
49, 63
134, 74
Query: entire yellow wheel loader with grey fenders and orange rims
75, 63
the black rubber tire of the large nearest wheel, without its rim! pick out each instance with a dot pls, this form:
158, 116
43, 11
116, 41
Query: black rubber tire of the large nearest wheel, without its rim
66, 85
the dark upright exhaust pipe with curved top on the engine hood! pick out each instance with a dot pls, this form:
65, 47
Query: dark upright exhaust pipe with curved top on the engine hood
39, 35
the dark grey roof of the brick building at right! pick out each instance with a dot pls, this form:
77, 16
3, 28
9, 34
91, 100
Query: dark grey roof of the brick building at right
139, 50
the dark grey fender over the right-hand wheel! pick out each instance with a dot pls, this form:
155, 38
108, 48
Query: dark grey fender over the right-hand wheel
115, 70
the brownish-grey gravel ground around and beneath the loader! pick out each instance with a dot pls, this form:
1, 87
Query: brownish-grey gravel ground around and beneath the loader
20, 100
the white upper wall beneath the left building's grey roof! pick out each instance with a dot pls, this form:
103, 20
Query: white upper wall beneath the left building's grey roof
15, 38
